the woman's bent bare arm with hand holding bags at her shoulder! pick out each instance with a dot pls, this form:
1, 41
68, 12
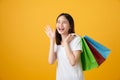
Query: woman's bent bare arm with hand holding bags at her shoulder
73, 56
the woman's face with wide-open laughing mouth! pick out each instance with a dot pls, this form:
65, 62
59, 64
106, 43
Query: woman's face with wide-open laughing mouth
62, 25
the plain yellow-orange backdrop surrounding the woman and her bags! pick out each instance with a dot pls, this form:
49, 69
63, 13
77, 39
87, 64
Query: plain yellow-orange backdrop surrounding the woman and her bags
24, 45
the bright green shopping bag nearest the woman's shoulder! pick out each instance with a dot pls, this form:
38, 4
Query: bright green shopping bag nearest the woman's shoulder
87, 59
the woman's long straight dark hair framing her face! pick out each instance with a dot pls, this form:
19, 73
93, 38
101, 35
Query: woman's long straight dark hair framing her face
71, 30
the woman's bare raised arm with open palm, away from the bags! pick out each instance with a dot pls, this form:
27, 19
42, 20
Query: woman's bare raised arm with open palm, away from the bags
52, 54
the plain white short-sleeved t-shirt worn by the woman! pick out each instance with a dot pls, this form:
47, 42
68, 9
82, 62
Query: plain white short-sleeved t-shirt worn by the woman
65, 71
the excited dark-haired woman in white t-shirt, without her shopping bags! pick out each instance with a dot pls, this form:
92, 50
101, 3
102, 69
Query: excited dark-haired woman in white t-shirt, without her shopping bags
66, 50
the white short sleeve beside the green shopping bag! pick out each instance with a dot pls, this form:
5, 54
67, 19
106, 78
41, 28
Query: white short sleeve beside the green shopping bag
76, 43
